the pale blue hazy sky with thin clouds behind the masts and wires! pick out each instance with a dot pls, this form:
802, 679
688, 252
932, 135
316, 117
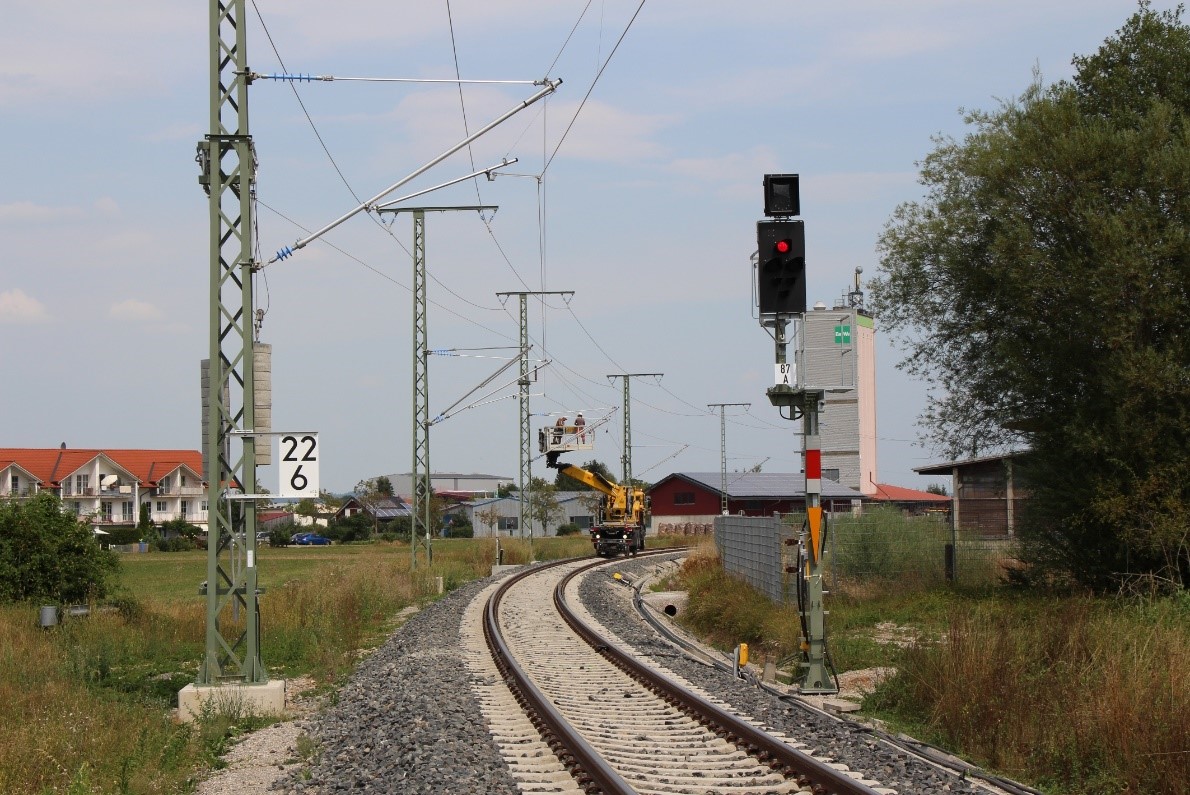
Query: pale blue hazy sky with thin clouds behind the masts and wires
647, 210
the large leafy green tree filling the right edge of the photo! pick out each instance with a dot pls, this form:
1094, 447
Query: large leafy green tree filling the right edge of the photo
1041, 289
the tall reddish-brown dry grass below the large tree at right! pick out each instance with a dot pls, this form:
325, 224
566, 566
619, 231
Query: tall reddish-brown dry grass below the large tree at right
1082, 696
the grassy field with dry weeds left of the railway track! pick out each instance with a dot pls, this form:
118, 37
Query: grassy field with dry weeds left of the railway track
85, 708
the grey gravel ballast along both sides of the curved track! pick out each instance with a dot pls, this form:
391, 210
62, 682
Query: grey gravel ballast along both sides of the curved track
408, 722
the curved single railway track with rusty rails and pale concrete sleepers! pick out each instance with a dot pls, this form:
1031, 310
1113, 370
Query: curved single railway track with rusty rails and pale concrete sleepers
573, 712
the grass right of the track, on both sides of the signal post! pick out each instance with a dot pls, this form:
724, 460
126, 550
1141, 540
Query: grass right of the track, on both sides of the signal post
1076, 696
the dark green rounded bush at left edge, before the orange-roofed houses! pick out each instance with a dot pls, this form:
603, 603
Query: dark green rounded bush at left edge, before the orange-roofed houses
49, 555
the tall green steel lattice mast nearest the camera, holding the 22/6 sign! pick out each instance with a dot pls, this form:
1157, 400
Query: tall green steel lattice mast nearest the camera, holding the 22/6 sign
228, 173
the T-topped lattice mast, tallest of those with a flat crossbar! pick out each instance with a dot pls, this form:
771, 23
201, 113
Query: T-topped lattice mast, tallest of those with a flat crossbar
421, 478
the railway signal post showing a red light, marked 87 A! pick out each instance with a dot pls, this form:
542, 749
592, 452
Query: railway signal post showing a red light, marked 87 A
781, 297
